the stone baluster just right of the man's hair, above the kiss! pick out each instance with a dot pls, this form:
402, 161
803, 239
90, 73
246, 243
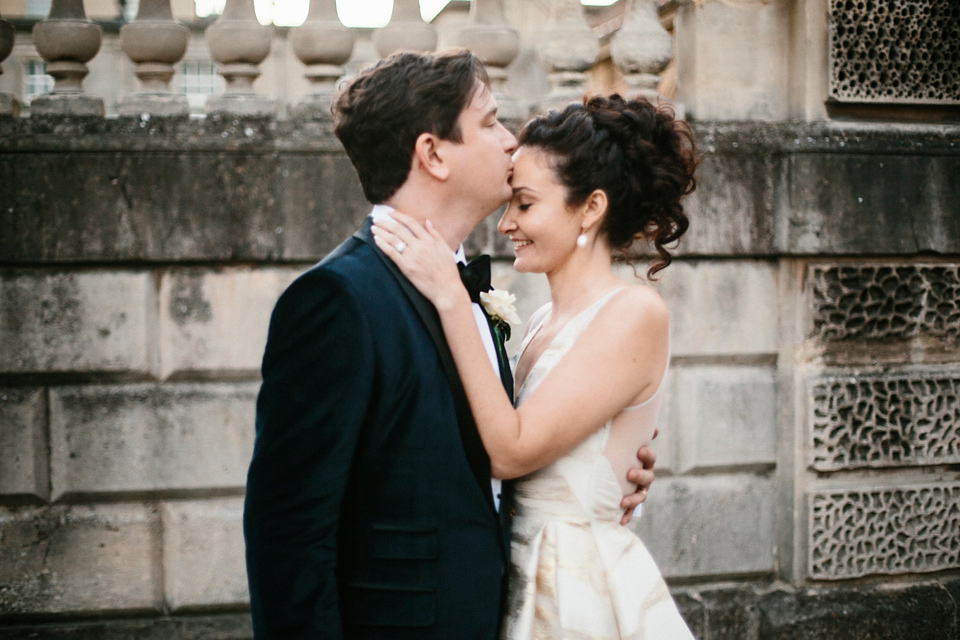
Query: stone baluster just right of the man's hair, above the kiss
493, 41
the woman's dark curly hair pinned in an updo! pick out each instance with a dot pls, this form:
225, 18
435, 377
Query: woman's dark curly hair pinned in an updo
639, 154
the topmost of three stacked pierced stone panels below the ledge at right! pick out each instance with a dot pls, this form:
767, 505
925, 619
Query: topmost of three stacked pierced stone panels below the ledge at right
885, 301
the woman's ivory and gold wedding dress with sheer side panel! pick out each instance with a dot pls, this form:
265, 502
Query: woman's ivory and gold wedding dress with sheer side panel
576, 572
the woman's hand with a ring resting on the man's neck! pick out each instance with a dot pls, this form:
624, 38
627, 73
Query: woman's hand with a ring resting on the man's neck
424, 258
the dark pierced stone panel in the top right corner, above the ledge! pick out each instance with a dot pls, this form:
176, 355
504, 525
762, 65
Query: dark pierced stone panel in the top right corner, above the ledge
895, 51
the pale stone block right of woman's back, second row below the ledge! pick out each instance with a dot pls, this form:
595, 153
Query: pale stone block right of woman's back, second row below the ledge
724, 416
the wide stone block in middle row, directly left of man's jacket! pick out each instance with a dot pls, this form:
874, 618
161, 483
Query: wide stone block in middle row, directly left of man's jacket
150, 437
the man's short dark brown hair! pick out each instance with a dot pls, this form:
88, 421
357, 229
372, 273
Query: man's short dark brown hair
380, 112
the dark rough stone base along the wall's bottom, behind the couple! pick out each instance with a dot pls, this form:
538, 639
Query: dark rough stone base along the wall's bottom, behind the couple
764, 611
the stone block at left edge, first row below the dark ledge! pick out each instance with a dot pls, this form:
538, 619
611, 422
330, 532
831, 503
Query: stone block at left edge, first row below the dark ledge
70, 322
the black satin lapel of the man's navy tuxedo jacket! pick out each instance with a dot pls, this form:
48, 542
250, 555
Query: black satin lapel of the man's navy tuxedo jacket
472, 445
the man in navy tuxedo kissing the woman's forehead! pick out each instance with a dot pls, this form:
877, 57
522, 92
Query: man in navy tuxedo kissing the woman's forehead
370, 511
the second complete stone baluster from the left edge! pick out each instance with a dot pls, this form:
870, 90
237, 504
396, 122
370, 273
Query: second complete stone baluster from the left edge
155, 42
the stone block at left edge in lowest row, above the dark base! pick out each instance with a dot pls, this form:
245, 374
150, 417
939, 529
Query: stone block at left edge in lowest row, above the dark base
79, 559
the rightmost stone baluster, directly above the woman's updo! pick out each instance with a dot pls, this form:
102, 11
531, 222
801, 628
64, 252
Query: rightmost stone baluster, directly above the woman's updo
642, 49
